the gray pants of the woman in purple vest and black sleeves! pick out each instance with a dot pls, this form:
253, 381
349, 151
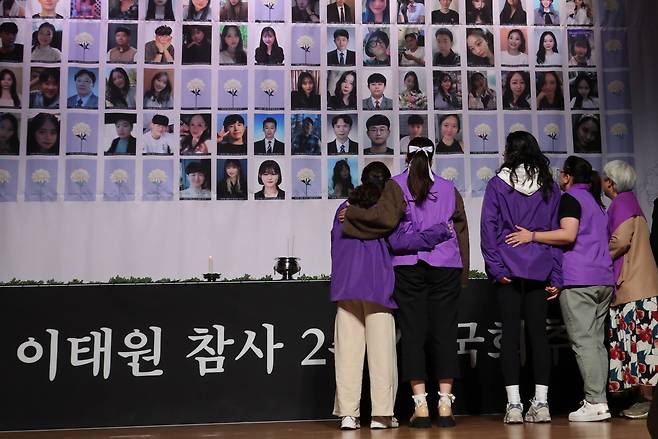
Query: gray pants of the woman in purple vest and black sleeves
584, 310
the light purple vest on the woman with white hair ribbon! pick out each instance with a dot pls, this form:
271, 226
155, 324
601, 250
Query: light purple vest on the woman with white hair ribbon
438, 207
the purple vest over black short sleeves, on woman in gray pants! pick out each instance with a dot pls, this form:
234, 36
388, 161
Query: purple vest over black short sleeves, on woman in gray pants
587, 261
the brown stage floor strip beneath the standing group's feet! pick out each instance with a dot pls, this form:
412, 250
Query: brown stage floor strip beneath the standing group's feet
489, 427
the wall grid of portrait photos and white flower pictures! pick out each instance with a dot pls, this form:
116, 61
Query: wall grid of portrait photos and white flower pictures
163, 100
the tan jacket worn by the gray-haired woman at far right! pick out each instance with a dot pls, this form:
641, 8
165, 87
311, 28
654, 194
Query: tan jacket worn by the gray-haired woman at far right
639, 275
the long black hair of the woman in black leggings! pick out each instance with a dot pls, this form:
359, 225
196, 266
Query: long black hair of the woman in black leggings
522, 149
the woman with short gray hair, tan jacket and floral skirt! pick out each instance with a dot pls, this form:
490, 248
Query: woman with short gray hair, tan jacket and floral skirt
632, 312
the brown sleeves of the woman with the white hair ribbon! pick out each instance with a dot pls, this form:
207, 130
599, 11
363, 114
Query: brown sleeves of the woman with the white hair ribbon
383, 218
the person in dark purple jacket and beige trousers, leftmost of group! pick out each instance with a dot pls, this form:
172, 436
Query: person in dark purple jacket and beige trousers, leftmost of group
362, 282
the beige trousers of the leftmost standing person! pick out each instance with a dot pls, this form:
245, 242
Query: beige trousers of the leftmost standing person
362, 326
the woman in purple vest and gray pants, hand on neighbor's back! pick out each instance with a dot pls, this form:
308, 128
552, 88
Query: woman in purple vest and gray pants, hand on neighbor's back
587, 277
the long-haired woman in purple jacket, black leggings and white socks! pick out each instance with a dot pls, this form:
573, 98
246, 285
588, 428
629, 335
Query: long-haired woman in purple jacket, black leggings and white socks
526, 277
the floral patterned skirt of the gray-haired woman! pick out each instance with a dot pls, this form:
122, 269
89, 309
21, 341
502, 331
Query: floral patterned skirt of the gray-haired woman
633, 344
